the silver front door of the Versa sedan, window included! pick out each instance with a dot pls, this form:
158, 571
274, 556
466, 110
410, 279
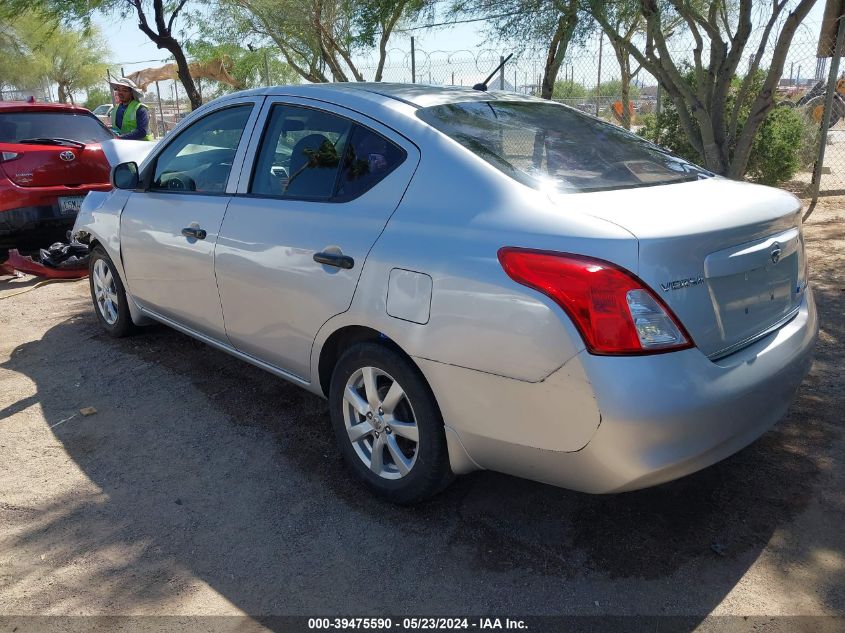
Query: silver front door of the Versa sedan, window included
168, 231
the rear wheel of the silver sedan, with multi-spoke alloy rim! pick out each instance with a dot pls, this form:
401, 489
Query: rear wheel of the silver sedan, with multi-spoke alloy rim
388, 425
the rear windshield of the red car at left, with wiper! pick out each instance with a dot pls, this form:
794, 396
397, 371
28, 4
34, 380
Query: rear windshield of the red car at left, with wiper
18, 126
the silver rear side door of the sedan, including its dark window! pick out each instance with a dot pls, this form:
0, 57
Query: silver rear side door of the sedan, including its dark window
317, 188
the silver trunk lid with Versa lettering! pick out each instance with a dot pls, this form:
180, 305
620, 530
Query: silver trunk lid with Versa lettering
727, 257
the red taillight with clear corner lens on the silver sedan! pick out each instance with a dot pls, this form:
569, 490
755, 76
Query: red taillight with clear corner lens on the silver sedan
612, 309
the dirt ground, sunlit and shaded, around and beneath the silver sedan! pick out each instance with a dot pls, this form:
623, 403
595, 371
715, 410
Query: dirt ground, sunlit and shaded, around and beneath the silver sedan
205, 486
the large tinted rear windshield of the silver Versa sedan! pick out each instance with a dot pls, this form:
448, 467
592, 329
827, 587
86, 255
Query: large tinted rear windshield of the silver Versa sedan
547, 145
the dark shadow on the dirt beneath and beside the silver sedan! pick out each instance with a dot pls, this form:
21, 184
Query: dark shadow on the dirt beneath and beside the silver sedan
212, 469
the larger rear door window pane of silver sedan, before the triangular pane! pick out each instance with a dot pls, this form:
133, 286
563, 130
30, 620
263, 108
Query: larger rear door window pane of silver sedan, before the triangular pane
300, 154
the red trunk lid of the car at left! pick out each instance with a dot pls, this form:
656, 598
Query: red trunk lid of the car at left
54, 165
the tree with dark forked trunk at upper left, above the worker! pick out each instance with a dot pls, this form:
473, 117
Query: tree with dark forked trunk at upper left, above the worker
156, 20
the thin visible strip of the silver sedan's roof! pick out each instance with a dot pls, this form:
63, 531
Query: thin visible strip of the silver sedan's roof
417, 95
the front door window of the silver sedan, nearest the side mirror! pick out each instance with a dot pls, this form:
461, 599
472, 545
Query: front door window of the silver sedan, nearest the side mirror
200, 158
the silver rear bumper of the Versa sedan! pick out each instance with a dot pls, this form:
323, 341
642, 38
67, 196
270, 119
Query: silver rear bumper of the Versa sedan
661, 417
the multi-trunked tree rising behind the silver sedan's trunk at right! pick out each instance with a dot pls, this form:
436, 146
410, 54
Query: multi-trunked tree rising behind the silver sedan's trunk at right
721, 31
